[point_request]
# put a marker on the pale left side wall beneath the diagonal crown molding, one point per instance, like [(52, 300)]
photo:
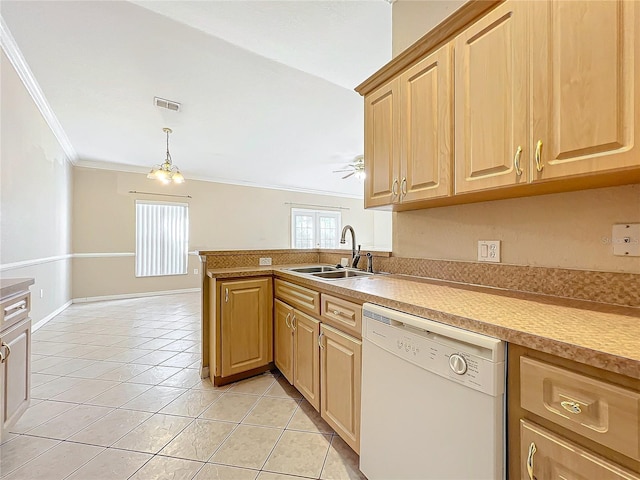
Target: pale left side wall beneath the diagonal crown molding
[(35, 199)]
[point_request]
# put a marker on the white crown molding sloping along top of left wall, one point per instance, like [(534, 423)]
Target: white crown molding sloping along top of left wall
[(10, 48)]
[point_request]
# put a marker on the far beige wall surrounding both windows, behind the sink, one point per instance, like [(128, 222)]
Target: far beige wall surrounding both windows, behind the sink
[(221, 217)]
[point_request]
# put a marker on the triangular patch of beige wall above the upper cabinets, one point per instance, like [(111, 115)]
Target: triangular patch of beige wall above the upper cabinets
[(411, 19)]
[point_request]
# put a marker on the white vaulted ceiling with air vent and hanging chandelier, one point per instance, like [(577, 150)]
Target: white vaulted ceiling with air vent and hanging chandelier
[(266, 87)]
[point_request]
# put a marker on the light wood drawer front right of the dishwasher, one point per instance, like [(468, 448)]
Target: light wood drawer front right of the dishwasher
[(602, 412)]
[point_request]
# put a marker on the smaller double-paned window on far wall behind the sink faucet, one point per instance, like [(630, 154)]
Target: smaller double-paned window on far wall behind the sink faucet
[(314, 228)]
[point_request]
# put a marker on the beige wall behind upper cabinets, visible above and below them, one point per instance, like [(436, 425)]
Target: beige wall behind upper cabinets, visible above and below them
[(569, 230)]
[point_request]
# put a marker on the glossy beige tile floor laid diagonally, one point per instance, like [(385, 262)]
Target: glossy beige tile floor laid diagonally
[(116, 395)]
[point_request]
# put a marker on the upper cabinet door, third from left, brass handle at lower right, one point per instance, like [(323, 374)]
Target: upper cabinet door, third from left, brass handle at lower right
[(491, 100)]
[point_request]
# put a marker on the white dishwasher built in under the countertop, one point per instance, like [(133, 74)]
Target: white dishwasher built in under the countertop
[(432, 400)]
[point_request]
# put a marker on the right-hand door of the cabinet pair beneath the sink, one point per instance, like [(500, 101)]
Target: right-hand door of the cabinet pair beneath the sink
[(307, 357)]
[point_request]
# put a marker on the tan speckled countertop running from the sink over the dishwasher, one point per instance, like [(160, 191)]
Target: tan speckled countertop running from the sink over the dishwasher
[(604, 336)]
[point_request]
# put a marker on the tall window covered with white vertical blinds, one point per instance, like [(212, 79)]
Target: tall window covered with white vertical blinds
[(162, 238)]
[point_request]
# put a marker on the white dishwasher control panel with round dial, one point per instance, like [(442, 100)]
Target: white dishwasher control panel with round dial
[(448, 357)]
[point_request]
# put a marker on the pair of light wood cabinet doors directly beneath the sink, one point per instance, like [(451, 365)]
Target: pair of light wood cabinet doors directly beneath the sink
[(297, 353)]
